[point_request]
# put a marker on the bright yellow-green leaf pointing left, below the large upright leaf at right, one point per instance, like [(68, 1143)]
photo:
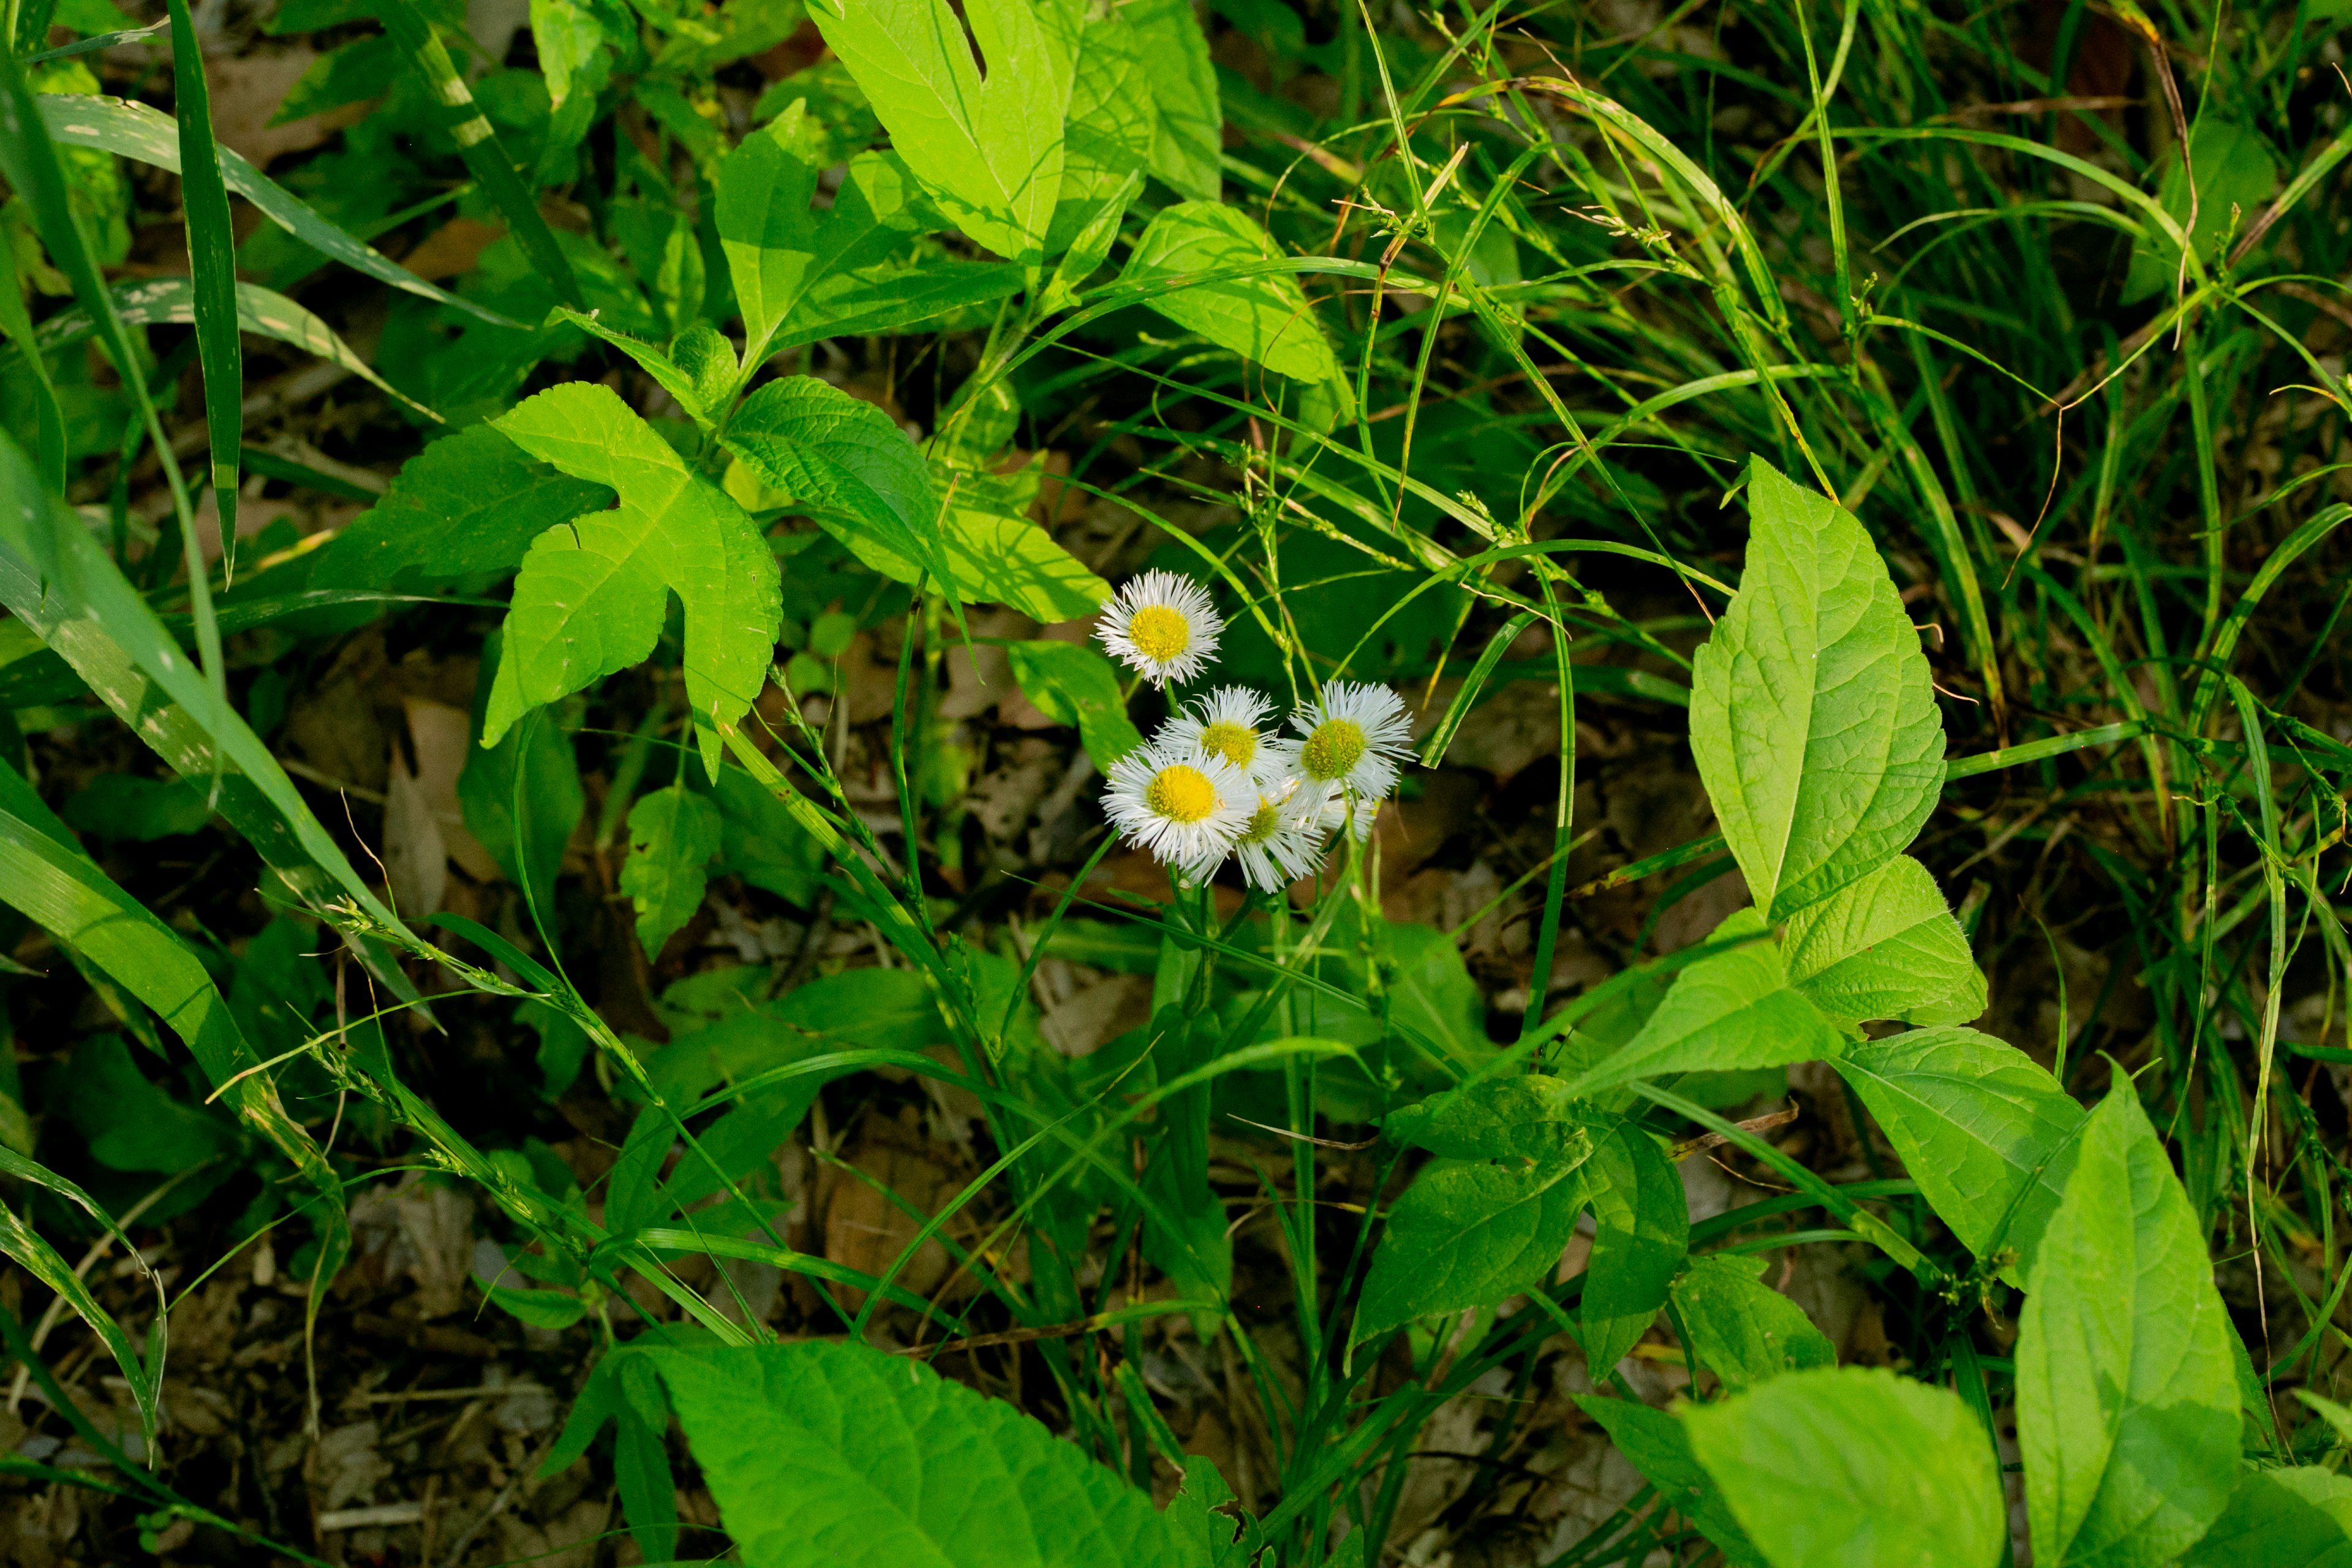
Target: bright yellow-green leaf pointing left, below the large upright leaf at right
[(1730, 1010)]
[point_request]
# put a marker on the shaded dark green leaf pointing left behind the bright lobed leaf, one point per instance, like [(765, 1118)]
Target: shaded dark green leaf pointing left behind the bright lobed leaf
[(465, 507)]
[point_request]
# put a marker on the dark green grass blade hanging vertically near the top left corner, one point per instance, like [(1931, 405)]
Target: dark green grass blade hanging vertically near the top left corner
[(213, 279)]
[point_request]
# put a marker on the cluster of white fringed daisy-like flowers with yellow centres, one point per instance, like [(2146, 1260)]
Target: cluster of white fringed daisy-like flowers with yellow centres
[(1220, 779)]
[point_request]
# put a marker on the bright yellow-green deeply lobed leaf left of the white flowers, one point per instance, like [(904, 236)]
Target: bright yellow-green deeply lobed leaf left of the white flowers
[(592, 594)]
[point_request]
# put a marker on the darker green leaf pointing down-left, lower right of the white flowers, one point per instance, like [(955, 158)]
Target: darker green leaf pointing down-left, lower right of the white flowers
[(1469, 1235)]
